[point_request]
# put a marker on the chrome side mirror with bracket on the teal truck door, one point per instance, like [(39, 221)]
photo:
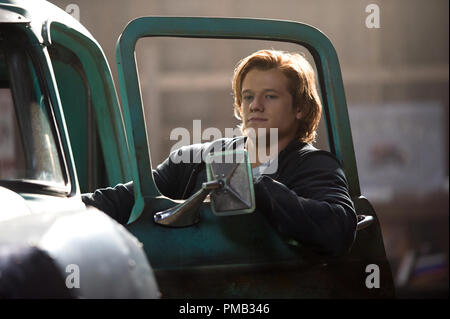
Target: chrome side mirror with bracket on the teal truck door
[(231, 183)]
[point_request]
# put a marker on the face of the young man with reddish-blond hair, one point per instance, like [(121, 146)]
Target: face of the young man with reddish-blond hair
[(267, 103)]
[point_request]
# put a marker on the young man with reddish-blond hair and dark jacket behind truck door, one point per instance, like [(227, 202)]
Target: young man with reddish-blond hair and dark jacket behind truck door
[(306, 198)]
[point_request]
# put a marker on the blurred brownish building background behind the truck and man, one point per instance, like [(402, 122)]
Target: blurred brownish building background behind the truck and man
[(396, 81)]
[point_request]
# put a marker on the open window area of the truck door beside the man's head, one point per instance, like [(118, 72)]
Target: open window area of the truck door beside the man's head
[(189, 100)]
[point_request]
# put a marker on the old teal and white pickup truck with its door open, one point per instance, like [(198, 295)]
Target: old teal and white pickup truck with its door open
[(64, 133)]
